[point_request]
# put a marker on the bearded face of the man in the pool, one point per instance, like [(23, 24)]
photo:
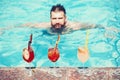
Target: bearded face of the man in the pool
[(58, 19)]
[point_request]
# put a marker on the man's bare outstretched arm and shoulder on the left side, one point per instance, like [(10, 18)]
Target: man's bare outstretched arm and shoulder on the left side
[(38, 25)]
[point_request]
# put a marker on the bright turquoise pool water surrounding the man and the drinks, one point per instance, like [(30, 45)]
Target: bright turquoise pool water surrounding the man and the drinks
[(104, 45)]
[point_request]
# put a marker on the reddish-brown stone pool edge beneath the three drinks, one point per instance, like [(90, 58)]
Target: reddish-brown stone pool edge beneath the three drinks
[(62, 73)]
